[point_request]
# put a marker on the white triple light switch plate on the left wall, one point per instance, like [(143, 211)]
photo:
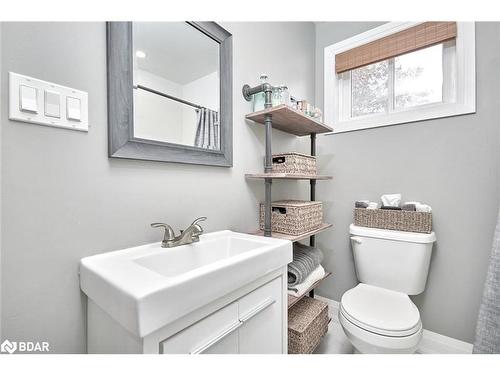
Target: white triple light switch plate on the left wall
[(48, 95)]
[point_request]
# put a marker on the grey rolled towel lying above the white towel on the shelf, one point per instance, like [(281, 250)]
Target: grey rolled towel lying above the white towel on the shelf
[(305, 260)]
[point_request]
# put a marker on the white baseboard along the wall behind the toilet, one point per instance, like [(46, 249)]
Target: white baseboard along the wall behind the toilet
[(431, 343)]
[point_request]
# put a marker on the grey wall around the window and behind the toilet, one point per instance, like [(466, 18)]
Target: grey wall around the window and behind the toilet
[(452, 164)]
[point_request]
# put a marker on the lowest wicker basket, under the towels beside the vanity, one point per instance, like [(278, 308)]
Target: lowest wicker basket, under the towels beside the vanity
[(307, 324)]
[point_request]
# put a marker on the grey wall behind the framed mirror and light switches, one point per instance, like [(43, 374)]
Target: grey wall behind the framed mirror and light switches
[(63, 199)]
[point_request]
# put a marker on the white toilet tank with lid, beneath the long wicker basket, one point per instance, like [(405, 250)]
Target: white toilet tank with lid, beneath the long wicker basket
[(392, 259)]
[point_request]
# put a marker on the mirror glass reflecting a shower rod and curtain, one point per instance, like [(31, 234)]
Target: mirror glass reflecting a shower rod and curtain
[(176, 84)]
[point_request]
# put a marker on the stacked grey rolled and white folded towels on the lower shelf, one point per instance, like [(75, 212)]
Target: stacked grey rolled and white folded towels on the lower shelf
[(305, 269)]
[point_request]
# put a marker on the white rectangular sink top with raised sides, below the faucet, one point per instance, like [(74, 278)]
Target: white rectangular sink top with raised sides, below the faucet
[(147, 287)]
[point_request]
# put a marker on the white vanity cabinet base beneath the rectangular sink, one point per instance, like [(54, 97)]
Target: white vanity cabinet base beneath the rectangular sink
[(250, 320)]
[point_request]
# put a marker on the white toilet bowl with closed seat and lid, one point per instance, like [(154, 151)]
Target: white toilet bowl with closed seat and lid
[(378, 320)]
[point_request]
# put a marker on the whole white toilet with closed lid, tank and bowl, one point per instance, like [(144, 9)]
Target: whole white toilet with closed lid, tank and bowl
[(378, 315)]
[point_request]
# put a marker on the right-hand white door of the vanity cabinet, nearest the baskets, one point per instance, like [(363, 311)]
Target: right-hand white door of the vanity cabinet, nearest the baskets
[(261, 314)]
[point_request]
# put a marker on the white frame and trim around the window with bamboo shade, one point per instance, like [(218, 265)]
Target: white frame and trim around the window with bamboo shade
[(459, 94)]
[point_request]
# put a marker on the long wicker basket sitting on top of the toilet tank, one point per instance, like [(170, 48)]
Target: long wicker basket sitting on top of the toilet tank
[(408, 221)]
